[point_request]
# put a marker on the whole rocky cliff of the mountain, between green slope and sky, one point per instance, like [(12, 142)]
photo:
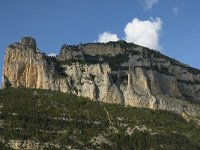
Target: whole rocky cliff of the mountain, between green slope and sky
[(115, 72)]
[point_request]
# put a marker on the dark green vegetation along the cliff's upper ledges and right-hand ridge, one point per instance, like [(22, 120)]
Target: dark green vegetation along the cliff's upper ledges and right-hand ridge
[(116, 62)]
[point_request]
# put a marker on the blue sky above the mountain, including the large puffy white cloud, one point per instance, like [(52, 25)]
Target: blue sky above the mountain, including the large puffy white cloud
[(56, 22)]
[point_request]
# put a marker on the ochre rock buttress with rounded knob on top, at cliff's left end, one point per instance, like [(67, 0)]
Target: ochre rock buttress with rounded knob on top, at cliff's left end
[(25, 66)]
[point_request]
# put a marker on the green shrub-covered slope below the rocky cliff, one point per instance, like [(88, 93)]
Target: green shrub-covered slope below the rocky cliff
[(48, 116)]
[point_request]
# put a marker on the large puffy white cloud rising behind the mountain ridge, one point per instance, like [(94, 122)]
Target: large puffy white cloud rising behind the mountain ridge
[(145, 33)]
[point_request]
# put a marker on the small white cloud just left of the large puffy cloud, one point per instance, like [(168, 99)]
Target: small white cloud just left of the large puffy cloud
[(107, 36)]
